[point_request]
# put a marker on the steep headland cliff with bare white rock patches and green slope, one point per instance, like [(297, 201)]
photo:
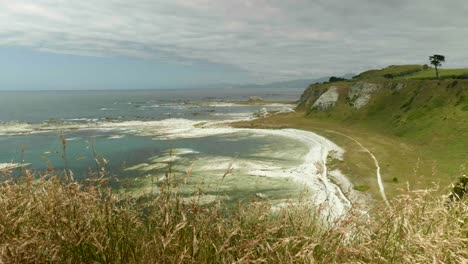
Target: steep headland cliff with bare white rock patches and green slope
[(417, 109)]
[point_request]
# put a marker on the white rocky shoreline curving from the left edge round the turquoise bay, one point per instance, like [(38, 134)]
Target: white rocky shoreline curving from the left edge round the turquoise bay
[(313, 172)]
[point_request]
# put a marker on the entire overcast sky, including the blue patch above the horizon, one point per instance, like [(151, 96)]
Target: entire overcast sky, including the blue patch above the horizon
[(97, 44)]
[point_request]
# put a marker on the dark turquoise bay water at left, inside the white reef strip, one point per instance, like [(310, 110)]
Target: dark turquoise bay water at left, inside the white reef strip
[(82, 147)]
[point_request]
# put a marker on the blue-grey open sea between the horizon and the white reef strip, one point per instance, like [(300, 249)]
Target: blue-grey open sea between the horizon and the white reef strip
[(38, 106)]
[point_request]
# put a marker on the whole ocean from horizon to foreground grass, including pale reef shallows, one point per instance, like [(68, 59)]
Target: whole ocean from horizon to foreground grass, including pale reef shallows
[(140, 134)]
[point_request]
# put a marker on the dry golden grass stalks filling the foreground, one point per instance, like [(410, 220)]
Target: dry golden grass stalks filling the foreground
[(48, 220)]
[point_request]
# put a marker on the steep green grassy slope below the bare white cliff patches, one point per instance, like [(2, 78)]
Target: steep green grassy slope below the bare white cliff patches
[(414, 112)]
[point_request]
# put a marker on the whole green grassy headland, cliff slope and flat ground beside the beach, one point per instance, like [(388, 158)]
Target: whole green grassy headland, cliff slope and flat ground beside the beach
[(418, 129)]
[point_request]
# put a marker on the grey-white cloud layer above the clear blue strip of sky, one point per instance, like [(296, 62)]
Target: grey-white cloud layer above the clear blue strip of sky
[(272, 40)]
